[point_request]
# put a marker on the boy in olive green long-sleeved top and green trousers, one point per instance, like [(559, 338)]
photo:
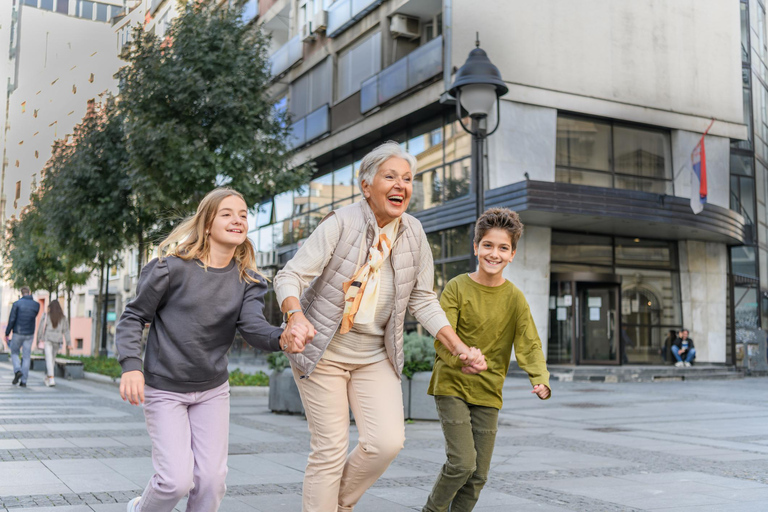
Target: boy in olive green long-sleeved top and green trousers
[(491, 313)]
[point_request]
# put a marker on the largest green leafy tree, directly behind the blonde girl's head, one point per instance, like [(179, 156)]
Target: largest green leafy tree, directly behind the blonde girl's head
[(198, 114)]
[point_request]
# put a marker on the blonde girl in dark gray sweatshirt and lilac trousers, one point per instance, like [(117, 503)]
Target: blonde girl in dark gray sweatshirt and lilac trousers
[(202, 287)]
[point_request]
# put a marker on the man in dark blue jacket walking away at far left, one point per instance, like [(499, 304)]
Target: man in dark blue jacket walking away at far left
[(21, 323)]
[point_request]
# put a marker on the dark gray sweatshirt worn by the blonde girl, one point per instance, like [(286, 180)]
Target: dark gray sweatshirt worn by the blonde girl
[(193, 314)]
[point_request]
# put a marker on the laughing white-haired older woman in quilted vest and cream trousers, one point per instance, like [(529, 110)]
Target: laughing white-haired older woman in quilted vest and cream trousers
[(352, 281)]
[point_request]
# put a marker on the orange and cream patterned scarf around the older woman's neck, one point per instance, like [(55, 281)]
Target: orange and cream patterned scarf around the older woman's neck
[(361, 293)]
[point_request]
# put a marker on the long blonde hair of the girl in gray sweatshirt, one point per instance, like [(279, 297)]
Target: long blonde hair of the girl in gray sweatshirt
[(188, 240)]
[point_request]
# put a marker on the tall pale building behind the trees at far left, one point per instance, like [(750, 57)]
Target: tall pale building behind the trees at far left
[(61, 58)]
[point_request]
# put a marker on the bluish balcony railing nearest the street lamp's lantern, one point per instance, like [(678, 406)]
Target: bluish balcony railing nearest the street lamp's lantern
[(418, 66)]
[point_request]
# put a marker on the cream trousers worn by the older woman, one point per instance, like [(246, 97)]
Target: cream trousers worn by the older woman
[(336, 480)]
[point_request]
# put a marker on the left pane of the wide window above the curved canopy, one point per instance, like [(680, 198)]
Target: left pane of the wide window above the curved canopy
[(583, 143)]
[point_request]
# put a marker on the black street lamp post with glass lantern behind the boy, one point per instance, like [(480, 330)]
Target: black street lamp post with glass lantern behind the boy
[(478, 83)]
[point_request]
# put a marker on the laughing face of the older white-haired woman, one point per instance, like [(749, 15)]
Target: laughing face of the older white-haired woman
[(390, 190)]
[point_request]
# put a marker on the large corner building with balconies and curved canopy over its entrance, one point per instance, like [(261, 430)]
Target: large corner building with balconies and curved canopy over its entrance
[(606, 103)]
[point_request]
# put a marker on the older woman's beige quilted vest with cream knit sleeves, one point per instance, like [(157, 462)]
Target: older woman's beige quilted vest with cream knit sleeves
[(317, 280)]
